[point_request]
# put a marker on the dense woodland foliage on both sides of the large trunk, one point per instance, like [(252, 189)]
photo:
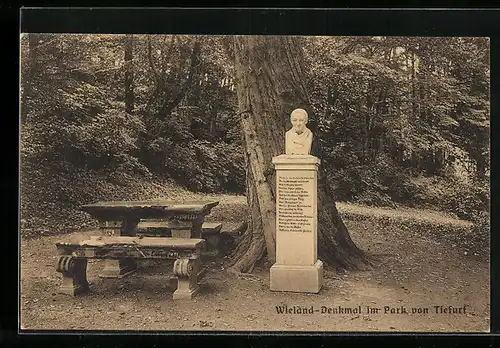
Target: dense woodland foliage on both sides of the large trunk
[(400, 120)]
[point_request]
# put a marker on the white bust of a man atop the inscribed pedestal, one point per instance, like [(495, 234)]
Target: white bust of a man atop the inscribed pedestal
[(298, 140)]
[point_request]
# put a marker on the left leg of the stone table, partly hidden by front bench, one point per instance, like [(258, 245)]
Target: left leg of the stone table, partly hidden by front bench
[(122, 267)]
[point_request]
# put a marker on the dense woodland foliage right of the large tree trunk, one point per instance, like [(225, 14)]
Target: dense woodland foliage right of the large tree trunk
[(389, 109)]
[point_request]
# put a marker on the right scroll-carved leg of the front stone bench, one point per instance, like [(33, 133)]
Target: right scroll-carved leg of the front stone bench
[(186, 271)]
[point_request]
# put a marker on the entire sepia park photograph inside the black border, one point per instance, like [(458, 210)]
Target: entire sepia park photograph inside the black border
[(253, 183)]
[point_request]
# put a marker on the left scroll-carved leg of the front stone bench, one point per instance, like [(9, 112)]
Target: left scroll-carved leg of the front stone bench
[(74, 272)]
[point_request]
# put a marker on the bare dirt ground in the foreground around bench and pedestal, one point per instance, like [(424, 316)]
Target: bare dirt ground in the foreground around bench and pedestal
[(415, 272)]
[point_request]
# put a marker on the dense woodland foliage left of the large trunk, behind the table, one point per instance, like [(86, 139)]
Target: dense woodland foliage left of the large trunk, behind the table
[(78, 140)]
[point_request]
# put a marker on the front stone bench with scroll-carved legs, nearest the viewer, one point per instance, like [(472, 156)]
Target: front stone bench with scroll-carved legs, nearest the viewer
[(75, 252)]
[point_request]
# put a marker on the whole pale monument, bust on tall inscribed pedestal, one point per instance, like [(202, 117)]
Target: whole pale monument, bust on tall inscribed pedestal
[(297, 267)]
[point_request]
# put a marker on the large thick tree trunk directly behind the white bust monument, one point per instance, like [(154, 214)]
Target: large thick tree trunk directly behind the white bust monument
[(270, 84)]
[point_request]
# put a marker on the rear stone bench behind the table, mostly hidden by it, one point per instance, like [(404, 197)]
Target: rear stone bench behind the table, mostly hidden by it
[(210, 232)]
